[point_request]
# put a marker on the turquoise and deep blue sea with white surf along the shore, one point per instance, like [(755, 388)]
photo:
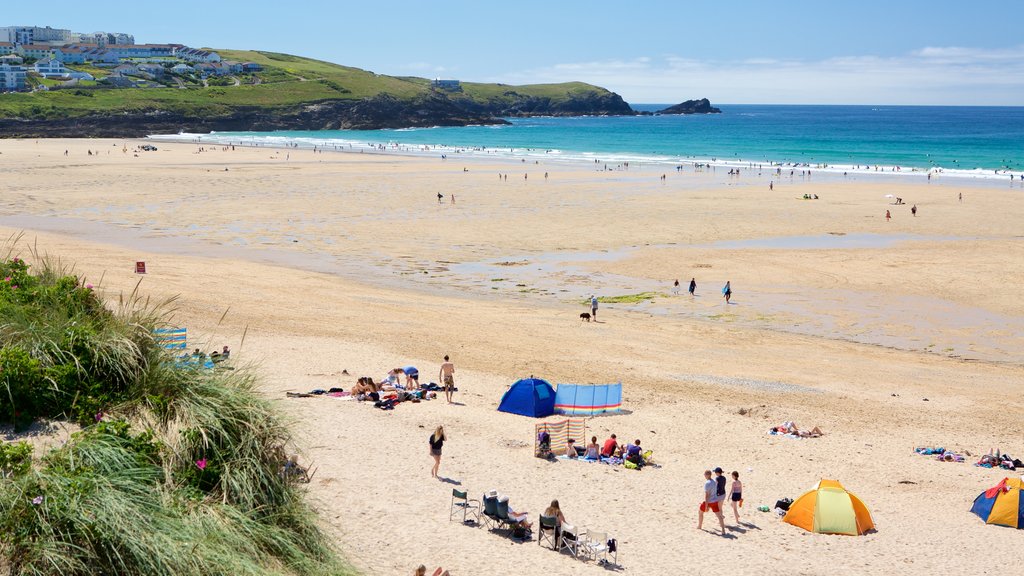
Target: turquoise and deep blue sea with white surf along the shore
[(974, 142)]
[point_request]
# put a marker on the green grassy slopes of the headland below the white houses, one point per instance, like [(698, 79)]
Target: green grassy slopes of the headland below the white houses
[(286, 81)]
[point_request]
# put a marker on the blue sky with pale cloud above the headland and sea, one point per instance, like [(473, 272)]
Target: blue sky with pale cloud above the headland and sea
[(892, 53)]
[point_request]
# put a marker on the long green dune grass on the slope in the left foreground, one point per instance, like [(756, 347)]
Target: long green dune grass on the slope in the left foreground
[(180, 473)]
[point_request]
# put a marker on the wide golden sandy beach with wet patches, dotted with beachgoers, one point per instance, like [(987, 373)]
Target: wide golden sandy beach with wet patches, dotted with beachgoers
[(886, 335)]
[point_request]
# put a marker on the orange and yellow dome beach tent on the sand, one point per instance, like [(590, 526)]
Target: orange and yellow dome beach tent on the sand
[(829, 509)]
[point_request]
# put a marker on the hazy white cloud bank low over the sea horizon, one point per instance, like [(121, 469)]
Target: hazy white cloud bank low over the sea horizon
[(930, 76)]
